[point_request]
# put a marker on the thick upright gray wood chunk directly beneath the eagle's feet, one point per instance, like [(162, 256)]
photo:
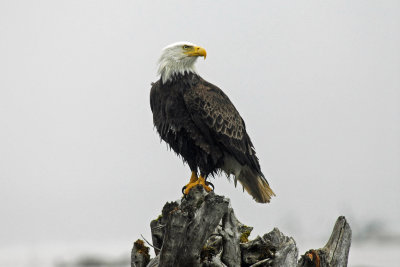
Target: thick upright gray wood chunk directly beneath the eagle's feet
[(189, 227)]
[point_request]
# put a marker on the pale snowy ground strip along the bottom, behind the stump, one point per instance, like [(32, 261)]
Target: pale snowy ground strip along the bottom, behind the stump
[(367, 254)]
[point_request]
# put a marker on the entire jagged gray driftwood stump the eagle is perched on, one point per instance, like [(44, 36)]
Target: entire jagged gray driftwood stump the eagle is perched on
[(202, 230)]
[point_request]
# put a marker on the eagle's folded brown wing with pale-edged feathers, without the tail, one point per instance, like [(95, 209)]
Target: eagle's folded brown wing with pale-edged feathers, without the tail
[(217, 118)]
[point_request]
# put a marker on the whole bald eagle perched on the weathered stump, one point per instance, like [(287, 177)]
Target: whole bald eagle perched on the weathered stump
[(199, 122)]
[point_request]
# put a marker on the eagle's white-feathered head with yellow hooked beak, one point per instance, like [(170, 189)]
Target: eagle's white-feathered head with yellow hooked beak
[(178, 58)]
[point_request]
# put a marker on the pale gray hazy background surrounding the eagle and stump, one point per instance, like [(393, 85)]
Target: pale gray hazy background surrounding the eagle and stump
[(82, 170)]
